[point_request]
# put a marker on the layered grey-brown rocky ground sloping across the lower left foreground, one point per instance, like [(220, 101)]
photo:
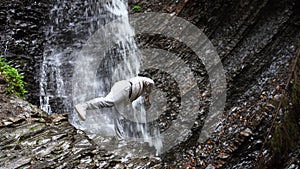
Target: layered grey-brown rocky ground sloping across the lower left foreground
[(32, 139)]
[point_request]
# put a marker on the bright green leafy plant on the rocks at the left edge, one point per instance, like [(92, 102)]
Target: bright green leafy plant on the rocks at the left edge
[(16, 85)]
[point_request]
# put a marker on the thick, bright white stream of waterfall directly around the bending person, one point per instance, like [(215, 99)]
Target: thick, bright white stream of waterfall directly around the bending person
[(112, 42)]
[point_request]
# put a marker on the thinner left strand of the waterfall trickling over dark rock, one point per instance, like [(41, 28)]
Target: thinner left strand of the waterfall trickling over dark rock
[(70, 24)]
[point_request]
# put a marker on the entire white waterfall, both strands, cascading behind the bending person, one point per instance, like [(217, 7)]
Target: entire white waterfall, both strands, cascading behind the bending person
[(99, 50)]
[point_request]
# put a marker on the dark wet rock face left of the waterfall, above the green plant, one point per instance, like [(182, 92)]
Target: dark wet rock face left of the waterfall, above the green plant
[(22, 38)]
